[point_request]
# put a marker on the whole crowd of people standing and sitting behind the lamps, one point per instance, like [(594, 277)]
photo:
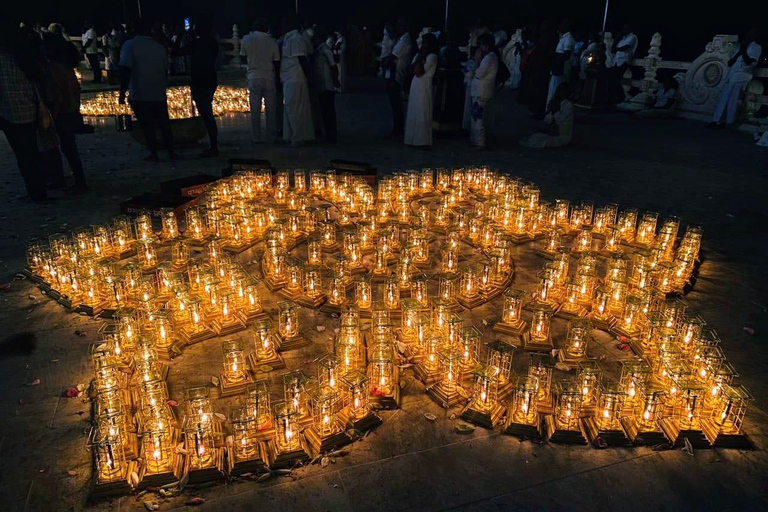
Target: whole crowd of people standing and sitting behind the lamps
[(294, 72)]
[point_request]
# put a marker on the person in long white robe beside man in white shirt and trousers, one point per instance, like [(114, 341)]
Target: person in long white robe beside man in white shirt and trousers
[(294, 70)]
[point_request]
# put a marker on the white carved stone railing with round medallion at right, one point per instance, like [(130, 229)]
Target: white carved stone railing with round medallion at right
[(700, 82)]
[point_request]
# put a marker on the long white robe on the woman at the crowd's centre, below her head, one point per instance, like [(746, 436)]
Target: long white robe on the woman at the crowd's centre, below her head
[(418, 121)]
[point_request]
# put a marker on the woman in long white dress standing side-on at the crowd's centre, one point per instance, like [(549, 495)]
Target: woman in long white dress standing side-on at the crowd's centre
[(418, 121)]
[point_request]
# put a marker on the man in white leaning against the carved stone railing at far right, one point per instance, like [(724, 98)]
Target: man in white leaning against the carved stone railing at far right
[(742, 66)]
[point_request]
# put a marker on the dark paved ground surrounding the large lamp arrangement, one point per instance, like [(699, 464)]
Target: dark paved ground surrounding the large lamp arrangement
[(716, 179)]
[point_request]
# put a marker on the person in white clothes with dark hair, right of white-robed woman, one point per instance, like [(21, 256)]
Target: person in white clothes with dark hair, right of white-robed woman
[(483, 85)]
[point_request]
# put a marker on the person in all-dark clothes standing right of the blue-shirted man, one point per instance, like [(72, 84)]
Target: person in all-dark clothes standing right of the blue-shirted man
[(203, 52)]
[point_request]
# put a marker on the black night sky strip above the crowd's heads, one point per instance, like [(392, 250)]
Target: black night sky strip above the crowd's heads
[(686, 26)]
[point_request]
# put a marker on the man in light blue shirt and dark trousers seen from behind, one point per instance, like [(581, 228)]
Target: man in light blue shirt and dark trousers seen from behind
[(144, 67)]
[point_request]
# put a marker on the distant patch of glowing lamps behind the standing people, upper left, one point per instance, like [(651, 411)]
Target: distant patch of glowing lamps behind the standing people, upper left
[(226, 100)]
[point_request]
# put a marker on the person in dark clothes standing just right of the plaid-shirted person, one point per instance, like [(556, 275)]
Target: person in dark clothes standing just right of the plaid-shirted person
[(65, 107)]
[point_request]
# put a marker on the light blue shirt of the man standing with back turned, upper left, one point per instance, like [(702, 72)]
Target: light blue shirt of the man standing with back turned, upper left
[(148, 61)]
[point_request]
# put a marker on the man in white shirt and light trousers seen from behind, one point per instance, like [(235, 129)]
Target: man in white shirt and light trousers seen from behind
[(263, 57)]
